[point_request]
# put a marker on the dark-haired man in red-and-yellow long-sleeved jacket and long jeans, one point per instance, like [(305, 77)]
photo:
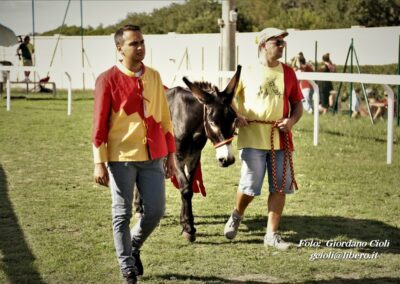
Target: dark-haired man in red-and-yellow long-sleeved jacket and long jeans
[(133, 144)]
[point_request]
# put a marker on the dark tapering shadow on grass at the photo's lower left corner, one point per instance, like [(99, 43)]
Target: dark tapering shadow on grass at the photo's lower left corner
[(17, 259)]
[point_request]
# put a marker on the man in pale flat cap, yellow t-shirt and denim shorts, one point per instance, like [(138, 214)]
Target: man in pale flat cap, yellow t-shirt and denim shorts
[(268, 99)]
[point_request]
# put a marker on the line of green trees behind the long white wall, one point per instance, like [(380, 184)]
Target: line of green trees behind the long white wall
[(200, 16)]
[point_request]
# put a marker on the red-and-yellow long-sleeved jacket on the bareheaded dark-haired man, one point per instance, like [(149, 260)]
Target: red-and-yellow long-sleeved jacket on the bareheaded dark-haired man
[(131, 117)]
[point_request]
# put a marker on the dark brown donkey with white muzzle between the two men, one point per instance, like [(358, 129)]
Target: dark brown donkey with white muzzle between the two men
[(199, 113)]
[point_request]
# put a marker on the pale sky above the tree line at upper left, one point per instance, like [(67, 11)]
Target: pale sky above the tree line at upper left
[(17, 14)]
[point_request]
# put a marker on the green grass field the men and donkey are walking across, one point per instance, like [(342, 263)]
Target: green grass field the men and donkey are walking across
[(55, 223)]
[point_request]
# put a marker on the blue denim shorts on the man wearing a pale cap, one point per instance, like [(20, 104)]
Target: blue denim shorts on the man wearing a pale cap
[(255, 163)]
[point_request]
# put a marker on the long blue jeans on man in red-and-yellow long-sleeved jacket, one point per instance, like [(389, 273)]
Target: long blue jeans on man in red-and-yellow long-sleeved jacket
[(150, 180)]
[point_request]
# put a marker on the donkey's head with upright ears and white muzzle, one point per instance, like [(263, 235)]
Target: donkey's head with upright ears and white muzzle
[(219, 116)]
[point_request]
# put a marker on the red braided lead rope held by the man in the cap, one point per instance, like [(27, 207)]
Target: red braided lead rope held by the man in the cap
[(288, 156)]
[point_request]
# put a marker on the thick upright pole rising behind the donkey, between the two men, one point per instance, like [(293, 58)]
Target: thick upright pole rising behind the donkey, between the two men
[(228, 35)]
